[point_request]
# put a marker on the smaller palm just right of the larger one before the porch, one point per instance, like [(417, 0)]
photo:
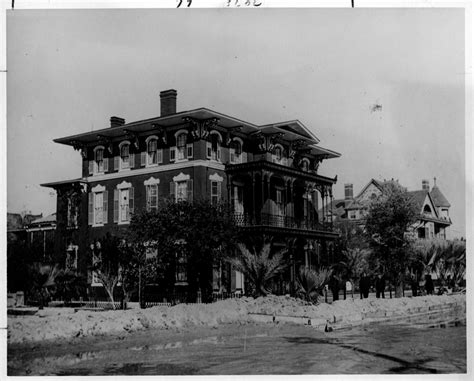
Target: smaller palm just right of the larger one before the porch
[(310, 283)]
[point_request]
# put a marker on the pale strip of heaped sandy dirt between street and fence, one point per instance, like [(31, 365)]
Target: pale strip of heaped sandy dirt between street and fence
[(64, 323)]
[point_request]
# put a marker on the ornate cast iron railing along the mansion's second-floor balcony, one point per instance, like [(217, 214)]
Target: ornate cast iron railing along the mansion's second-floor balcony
[(274, 220)]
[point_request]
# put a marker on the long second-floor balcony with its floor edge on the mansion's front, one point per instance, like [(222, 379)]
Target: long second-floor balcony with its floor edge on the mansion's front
[(273, 222)]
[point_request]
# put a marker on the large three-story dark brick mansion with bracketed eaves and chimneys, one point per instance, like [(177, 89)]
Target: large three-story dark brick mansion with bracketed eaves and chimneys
[(268, 173)]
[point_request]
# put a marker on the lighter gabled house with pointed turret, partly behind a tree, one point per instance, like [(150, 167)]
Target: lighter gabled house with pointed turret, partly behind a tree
[(433, 207)]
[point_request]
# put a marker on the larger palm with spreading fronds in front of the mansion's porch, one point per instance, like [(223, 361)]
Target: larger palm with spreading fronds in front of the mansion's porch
[(260, 267)]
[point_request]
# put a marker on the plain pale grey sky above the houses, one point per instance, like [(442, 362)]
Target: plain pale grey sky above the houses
[(69, 71)]
